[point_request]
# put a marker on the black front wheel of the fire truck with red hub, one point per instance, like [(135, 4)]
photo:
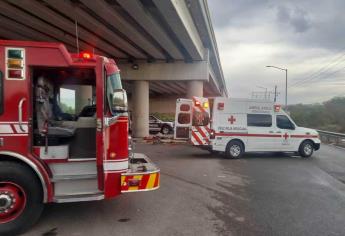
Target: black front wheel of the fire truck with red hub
[(20, 198)]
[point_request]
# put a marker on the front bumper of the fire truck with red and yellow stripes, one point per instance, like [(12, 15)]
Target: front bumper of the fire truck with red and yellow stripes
[(142, 175)]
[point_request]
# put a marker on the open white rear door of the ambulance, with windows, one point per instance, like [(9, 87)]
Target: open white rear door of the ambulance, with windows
[(183, 119)]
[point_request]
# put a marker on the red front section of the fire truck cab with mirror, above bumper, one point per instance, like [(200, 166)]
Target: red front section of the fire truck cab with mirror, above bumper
[(115, 134)]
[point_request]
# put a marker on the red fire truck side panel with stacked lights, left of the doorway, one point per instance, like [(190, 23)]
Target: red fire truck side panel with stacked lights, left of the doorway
[(15, 90)]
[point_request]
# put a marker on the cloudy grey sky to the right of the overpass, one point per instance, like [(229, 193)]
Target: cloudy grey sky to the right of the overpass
[(305, 36)]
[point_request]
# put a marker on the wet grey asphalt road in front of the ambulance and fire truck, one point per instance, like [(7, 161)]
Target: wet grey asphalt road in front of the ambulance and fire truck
[(204, 194)]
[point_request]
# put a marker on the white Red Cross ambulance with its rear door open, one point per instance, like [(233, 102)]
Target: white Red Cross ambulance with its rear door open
[(235, 126)]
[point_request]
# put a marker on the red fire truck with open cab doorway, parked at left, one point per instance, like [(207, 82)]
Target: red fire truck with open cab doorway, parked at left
[(51, 148)]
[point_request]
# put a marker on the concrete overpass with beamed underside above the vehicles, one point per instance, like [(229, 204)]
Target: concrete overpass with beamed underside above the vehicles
[(165, 48)]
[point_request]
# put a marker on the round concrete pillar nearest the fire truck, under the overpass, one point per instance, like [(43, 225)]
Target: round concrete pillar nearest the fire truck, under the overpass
[(140, 115)]
